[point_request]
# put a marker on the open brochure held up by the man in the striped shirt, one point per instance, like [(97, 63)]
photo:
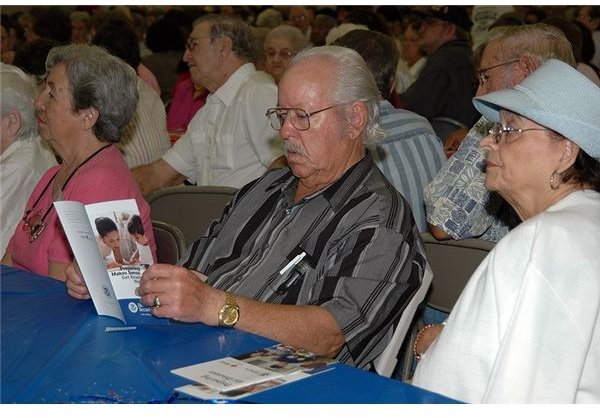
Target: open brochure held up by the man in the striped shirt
[(111, 259)]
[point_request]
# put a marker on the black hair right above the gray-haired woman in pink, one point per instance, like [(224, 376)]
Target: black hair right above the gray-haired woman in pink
[(118, 37)]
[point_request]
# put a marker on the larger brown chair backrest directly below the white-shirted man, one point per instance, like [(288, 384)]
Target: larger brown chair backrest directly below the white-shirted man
[(190, 208)]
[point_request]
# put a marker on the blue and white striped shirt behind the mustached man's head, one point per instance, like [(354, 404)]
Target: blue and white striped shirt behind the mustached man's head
[(409, 157)]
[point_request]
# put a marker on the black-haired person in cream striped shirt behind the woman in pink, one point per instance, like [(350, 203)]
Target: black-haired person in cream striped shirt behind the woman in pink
[(145, 139)]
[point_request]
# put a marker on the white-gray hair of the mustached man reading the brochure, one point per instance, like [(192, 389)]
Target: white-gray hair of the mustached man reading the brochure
[(353, 82)]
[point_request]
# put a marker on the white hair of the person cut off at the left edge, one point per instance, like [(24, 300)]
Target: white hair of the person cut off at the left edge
[(18, 93)]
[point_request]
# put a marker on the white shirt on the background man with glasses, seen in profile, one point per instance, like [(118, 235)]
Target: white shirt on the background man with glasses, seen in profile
[(229, 142)]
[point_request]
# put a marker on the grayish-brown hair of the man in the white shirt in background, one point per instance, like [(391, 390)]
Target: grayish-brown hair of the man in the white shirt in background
[(235, 29)]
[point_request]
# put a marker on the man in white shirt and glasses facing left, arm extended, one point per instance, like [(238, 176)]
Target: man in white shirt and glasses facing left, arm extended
[(228, 142)]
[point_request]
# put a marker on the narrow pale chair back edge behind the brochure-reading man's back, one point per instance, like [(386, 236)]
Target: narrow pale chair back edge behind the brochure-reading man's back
[(386, 362)]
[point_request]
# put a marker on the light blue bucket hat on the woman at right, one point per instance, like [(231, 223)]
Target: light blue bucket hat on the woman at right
[(556, 96)]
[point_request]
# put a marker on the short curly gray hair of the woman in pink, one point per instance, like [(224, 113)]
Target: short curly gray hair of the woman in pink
[(99, 80)]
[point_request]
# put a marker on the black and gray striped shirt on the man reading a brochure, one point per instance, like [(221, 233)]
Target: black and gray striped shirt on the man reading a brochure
[(364, 256)]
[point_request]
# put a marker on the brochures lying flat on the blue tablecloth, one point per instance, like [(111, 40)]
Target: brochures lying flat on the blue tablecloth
[(240, 376)]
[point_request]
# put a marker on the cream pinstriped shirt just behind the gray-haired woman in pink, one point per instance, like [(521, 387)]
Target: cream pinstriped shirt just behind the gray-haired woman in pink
[(145, 139)]
